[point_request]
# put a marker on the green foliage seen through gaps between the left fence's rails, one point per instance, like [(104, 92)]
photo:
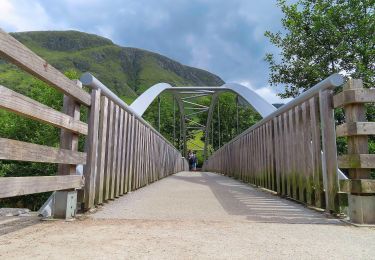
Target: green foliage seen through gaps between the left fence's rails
[(20, 128)]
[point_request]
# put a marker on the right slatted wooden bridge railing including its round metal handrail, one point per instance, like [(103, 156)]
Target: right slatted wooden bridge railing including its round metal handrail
[(283, 152)]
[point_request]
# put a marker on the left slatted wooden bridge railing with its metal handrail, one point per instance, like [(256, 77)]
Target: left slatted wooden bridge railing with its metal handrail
[(130, 152)]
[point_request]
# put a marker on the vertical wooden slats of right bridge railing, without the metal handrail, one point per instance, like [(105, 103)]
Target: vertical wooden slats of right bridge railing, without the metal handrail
[(283, 154)]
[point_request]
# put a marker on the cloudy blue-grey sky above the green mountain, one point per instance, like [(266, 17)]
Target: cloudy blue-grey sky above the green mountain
[(225, 37)]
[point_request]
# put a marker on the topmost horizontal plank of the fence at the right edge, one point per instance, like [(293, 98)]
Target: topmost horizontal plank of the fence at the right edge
[(352, 96)]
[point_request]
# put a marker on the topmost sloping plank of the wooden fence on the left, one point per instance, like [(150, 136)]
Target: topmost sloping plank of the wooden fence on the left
[(17, 53)]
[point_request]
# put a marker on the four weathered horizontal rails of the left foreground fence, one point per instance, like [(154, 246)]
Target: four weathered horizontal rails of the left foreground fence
[(67, 154)]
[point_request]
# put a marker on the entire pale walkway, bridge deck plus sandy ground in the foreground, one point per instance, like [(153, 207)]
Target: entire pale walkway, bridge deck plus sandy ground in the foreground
[(193, 215)]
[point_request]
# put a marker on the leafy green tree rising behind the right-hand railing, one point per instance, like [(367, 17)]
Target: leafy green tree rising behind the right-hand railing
[(323, 37)]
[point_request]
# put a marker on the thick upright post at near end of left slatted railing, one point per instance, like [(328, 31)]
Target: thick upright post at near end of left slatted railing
[(90, 169)]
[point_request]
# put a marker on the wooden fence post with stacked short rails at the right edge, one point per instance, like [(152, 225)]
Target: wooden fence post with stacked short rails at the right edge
[(357, 161)]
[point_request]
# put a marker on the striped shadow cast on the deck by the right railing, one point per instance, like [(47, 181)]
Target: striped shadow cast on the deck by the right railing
[(256, 205)]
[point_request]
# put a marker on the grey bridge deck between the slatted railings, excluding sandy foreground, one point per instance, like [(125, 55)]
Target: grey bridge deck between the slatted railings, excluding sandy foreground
[(209, 196)]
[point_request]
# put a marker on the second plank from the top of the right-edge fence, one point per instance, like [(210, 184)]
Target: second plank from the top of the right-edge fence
[(356, 128)]
